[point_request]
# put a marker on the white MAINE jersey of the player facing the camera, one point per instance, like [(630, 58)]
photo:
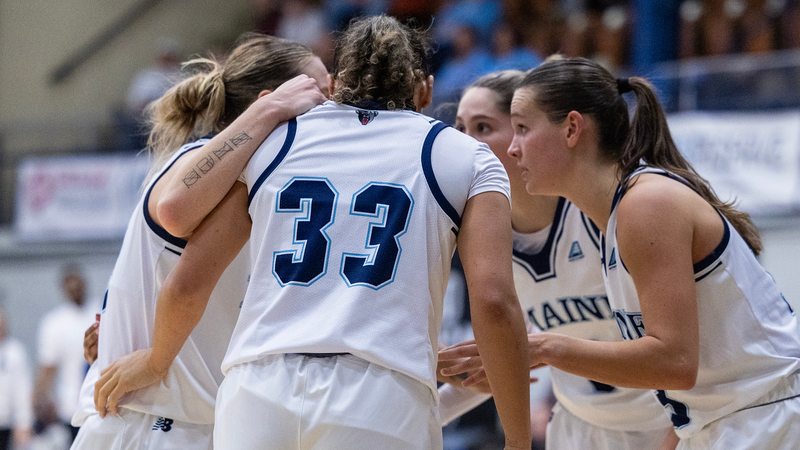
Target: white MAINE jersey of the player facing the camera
[(559, 283)]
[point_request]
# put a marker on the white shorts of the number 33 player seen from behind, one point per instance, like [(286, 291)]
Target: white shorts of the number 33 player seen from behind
[(341, 402)]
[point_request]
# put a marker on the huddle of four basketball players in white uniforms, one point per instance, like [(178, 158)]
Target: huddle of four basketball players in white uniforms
[(281, 281)]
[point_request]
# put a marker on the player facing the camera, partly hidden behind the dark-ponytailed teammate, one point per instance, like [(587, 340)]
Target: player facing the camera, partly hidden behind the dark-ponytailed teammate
[(560, 287)]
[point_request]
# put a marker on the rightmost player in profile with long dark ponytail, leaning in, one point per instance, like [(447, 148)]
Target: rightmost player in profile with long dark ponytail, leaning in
[(704, 324)]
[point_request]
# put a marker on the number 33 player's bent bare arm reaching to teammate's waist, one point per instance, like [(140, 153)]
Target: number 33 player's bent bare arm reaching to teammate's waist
[(182, 300)]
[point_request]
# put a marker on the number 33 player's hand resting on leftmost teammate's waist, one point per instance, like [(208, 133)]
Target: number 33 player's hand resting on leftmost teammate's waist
[(128, 373)]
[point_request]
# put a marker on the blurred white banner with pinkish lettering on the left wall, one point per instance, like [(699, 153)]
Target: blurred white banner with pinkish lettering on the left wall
[(77, 197)]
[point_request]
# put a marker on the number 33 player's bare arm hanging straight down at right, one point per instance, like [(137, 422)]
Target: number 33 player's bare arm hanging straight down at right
[(484, 243)]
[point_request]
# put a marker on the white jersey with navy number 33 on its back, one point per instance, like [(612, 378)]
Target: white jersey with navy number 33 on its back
[(355, 214)]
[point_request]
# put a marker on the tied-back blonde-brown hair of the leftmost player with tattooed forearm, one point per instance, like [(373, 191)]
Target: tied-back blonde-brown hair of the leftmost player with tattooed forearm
[(215, 94)]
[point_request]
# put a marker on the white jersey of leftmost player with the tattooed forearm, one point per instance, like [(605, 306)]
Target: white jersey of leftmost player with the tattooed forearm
[(147, 256)]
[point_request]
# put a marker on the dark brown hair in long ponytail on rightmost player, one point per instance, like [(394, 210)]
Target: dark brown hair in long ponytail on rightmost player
[(578, 84)]
